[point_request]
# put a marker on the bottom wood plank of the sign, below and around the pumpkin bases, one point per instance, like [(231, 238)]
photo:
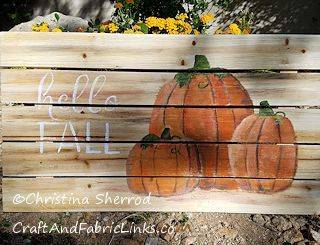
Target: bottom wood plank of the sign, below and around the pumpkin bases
[(303, 197)]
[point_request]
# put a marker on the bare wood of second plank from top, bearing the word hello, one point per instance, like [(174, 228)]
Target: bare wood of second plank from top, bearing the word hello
[(141, 88)]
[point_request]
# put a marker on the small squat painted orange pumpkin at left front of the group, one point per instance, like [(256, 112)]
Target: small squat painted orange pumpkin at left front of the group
[(153, 162)]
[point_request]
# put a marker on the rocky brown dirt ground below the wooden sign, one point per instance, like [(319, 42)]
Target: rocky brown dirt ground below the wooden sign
[(189, 228)]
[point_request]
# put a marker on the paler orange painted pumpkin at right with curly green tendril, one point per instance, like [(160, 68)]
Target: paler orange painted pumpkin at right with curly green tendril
[(273, 159)]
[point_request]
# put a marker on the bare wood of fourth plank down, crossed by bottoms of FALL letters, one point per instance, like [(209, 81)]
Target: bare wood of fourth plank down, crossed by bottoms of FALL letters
[(24, 159)]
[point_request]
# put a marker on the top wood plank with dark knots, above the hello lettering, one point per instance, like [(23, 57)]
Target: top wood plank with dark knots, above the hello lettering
[(96, 50)]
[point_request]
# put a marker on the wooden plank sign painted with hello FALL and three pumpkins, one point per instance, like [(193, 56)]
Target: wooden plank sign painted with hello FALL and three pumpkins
[(115, 122)]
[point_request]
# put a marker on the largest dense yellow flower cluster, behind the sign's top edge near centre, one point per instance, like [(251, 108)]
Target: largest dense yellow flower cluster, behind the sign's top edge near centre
[(176, 25)]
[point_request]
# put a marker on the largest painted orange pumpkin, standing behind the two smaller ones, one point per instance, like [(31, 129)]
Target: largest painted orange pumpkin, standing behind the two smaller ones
[(206, 122)]
